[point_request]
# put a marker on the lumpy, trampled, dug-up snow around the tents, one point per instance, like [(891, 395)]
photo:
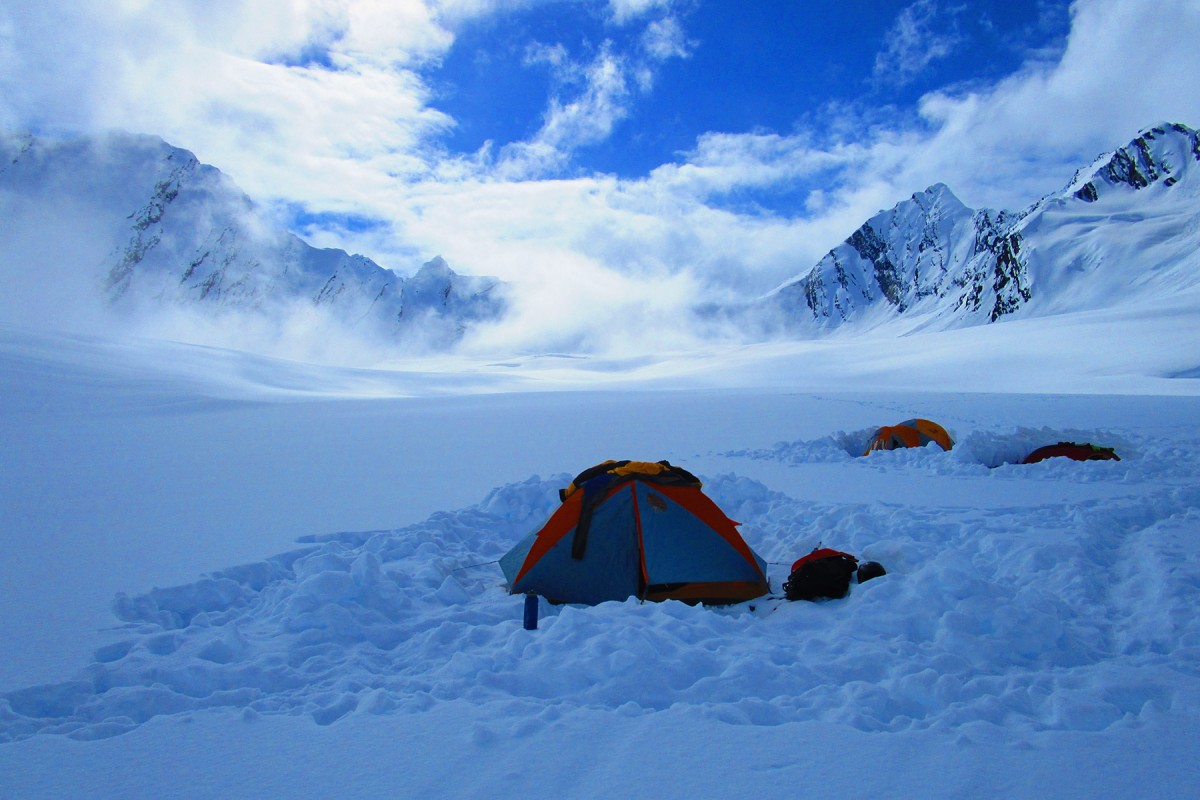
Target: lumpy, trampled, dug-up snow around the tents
[(1052, 617)]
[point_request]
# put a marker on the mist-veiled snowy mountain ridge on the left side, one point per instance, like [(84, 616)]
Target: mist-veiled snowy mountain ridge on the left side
[(160, 228)]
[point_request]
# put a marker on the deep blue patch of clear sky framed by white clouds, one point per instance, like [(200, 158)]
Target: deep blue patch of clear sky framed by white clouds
[(737, 67)]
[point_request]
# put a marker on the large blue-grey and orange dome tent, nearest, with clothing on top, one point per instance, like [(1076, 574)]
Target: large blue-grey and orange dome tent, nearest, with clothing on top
[(637, 530)]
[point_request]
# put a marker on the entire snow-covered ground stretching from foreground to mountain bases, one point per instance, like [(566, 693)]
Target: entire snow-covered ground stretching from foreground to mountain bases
[(226, 576)]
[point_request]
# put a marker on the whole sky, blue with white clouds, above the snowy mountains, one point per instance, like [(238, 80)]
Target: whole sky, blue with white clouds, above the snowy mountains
[(631, 155)]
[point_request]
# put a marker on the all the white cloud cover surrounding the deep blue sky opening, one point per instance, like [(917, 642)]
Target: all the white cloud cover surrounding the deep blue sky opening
[(326, 106)]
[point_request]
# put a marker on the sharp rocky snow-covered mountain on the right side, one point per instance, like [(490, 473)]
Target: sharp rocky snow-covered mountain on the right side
[(1125, 228)]
